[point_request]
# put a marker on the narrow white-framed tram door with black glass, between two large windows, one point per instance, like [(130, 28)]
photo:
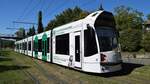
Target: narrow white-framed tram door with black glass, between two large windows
[(78, 50)]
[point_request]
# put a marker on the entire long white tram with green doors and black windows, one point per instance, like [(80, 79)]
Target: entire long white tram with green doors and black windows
[(90, 44)]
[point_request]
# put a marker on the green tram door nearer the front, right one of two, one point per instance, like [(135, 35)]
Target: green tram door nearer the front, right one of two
[(44, 47)]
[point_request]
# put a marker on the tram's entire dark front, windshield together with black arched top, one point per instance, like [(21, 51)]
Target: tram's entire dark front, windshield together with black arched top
[(105, 27)]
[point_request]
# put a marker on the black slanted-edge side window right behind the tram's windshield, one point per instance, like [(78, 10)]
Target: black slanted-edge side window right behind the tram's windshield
[(90, 47)]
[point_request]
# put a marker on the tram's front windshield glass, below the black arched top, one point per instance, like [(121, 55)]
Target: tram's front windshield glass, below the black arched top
[(107, 38)]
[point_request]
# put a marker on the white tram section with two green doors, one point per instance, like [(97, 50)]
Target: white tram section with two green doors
[(42, 46)]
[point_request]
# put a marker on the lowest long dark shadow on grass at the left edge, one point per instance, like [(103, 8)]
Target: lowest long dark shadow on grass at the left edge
[(4, 68)]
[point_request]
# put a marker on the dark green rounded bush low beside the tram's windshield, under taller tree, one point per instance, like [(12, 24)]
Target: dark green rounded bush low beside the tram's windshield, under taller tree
[(130, 40)]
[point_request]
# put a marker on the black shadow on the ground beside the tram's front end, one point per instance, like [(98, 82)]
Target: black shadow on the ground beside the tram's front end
[(127, 68)]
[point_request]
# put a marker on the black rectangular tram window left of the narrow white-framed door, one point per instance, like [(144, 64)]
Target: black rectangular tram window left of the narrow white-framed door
[(62, 44)]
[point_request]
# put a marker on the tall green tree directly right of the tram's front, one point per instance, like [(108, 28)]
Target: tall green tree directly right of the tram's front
[(129, 23)]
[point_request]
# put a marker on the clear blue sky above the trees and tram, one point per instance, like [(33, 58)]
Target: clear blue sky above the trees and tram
[(26, 10)]
